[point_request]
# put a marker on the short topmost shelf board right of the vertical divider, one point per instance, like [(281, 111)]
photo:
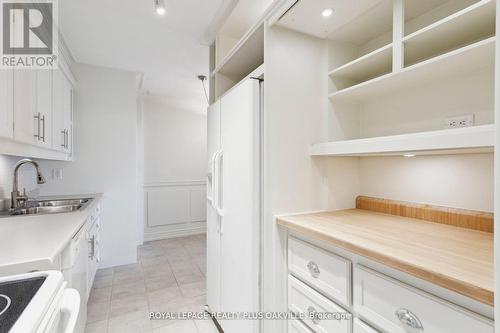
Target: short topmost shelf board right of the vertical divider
[(468, 25)]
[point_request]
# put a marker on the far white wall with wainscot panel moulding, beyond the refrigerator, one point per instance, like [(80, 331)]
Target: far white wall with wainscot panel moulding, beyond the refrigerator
[(174, 167)]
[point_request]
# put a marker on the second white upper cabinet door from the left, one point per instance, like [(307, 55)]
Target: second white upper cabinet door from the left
[(26, 126)]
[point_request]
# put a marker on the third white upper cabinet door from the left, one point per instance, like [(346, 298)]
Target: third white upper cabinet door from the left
[(44, 107)]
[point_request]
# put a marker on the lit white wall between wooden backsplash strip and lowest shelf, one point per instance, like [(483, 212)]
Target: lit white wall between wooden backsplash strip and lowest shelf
[(462, 181)]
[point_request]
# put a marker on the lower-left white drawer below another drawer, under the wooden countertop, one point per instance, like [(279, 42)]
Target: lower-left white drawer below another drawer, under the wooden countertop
[(303, 299)]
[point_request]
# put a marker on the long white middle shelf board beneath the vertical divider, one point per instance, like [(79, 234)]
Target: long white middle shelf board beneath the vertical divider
[(470, 58)]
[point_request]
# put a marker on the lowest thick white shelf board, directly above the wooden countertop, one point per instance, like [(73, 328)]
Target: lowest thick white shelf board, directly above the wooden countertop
[(477, 139)]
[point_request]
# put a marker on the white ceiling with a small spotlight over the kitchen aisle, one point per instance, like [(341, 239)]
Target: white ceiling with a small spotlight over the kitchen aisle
[(128, 34)]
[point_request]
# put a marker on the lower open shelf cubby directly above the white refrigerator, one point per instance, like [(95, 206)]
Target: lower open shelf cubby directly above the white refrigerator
[(245, 56)]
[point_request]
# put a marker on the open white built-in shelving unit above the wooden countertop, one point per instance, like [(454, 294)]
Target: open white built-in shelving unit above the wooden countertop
[(382, 51)]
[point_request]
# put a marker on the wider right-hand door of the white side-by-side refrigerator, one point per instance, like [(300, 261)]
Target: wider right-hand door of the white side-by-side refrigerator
[(240, 199)]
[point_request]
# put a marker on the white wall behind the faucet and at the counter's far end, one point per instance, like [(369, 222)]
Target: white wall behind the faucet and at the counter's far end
[(105, 134)]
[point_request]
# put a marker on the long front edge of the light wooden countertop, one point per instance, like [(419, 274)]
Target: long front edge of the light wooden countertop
[(463, 288)]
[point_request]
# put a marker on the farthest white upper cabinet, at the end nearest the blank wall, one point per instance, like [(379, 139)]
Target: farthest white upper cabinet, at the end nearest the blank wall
[(62, 112)]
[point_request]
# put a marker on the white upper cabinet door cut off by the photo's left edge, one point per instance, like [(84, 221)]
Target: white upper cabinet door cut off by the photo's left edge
[(7, 103)]
